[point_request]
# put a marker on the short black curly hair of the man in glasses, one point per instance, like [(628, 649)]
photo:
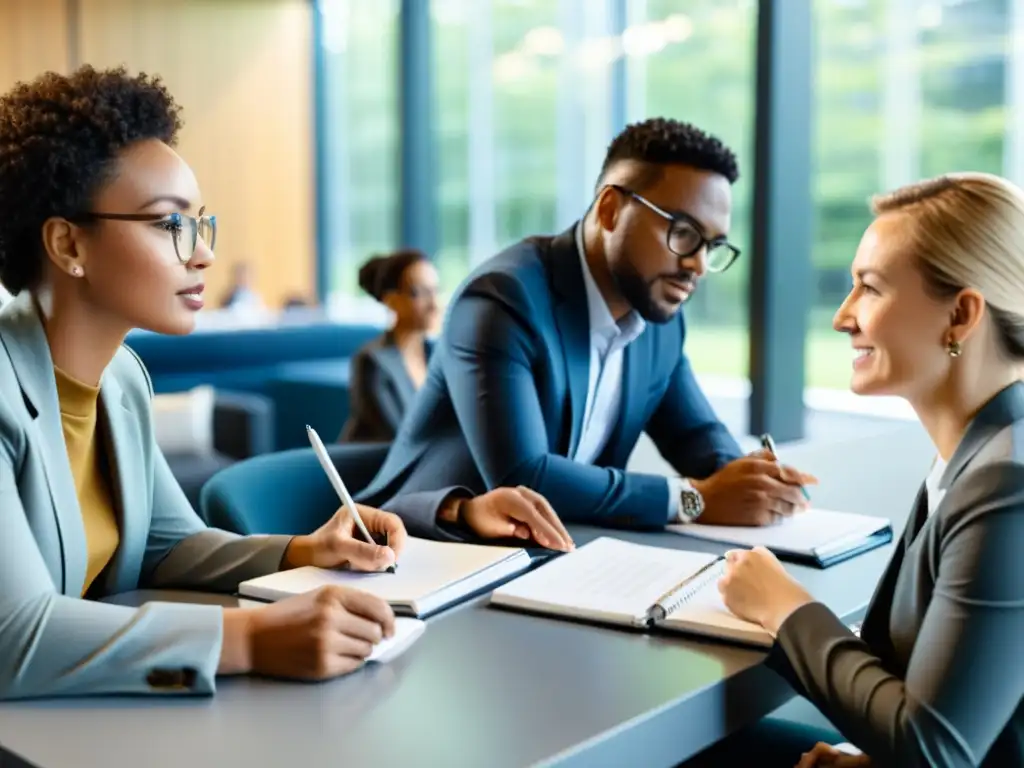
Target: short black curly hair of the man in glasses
[(661, 142)]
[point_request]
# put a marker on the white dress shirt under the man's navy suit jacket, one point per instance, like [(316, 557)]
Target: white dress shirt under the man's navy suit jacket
[(609, 340)]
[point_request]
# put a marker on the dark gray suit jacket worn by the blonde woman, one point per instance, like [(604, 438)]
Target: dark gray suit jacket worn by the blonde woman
[(937, 676)]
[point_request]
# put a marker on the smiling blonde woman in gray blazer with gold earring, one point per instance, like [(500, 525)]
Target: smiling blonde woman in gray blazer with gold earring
[(935, 678)]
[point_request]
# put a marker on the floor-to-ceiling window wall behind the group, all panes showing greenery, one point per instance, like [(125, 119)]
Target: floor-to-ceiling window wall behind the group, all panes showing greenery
[(530, 93)]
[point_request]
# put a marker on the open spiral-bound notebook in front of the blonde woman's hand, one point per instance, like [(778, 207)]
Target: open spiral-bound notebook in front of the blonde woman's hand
[(616, 582)]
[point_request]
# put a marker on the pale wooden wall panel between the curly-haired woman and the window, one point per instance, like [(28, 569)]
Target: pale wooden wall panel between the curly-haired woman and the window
[(242, 71)]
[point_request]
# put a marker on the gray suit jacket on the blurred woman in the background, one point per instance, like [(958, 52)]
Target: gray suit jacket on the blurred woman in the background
[(381, 392)]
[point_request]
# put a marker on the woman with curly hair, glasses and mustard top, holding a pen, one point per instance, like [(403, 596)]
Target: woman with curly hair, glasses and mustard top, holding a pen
[(104, 230)]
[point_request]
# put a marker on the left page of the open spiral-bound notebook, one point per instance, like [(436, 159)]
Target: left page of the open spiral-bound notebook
[(607, 578)]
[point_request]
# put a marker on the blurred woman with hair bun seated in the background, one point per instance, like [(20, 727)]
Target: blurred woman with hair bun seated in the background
[(389, 371)]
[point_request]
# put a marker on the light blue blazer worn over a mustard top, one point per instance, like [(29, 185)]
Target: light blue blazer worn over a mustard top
[(52, 642)]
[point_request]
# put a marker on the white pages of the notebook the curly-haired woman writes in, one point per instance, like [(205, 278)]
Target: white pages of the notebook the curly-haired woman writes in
[(424, 568)]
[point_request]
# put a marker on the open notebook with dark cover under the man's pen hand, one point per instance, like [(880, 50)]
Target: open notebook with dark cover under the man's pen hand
[(818, 537)]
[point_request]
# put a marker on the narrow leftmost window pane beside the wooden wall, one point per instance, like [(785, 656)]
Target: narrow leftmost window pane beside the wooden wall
[(359, 141)]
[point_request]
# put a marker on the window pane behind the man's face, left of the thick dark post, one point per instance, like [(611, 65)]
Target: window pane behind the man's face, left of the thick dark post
[(695, 61)]
